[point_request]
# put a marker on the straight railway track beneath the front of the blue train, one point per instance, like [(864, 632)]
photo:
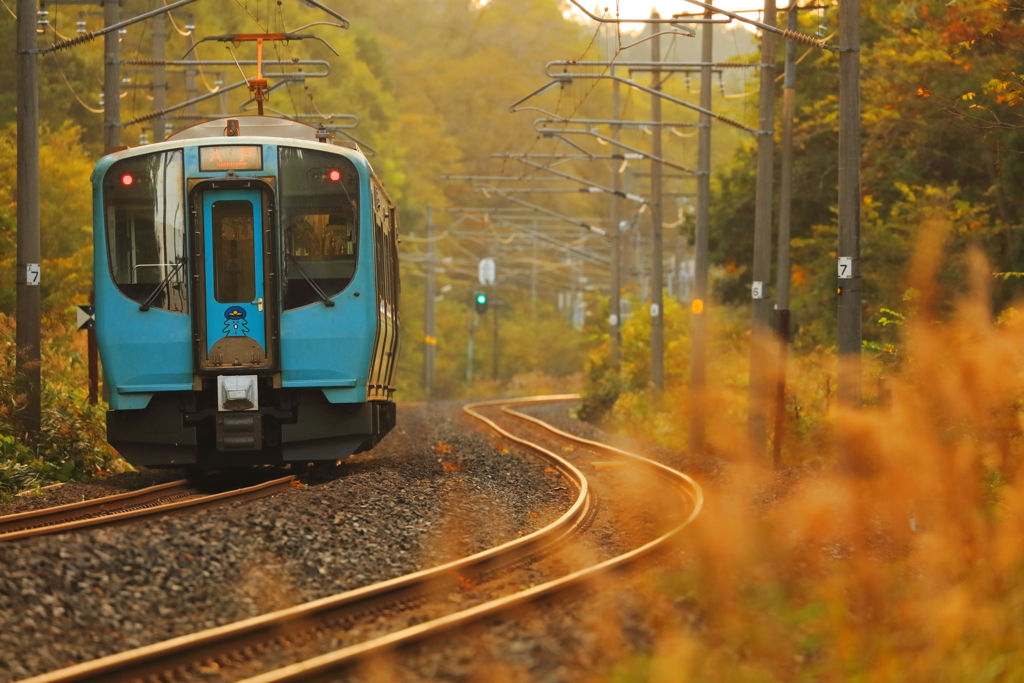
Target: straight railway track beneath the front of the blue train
[(151, 502)]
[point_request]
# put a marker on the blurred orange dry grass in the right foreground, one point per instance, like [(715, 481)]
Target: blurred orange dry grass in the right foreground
[(902, 557)]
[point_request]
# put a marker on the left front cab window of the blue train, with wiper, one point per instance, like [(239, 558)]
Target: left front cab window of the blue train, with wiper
[(145, 208)]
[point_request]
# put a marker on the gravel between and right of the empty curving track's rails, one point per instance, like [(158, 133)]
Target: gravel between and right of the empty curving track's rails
[(565, 641)]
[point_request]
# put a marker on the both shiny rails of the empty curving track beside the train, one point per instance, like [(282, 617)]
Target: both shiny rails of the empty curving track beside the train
[(191, 656)]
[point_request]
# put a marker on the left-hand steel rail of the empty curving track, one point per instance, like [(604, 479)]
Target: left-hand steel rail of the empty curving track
[(193, 650)]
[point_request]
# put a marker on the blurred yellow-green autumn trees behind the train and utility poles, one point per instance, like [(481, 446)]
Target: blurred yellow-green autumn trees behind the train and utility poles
[(432, 86)]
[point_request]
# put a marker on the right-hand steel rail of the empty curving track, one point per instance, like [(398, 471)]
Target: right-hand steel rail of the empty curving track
[(326, 667)]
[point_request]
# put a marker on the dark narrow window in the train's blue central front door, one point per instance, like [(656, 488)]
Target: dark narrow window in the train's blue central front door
[(234, 250)]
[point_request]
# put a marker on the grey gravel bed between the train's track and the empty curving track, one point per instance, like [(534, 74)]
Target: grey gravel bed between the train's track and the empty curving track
[(430, 493)]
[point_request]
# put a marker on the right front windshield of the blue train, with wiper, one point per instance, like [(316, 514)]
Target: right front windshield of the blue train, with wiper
[(320, 212)]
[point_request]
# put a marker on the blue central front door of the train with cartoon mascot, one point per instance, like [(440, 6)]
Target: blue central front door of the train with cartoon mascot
[(232, 320)]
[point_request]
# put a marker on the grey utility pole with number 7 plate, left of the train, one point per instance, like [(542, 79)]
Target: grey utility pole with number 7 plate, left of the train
[(28, 277)]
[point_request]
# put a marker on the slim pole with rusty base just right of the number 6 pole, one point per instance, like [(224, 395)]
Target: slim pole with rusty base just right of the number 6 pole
[(785, 220)]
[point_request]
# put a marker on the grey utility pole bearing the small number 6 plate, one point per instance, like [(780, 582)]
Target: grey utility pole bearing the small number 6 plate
[(761, 330)]
